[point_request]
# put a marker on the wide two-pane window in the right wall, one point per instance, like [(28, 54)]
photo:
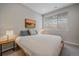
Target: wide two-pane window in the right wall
[(56, 22)]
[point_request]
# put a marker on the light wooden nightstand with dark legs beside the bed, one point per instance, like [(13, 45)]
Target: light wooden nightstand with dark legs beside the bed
[(6, 41)]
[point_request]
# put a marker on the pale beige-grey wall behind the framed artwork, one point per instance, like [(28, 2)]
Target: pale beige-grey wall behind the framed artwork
[(12, 17)]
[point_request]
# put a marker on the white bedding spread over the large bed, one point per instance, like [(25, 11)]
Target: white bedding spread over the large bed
[(40, 45)]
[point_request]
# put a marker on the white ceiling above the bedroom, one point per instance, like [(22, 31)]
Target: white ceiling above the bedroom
[(44, 8)]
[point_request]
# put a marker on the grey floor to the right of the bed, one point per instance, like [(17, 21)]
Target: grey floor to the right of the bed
[(70, 49)]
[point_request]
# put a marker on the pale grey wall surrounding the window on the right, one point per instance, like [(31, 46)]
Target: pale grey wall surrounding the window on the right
[(72, 34)]
